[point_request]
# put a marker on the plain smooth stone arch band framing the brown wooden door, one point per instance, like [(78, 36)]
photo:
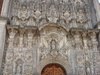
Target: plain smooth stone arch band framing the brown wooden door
[(62, 62)]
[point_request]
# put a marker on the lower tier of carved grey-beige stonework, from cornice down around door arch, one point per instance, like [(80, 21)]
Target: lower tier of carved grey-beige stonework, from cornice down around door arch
[(49, 47)]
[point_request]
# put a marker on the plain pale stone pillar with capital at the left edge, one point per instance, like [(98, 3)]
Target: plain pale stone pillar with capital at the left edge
[(3, 22)]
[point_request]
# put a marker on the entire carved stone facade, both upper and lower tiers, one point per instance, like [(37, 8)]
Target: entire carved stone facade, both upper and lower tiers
[(22, 44)]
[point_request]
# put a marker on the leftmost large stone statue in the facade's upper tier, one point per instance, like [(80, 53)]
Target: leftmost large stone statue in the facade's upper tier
[(23, 14)]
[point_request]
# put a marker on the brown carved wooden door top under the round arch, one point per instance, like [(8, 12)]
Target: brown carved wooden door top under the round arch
[(53, 69)]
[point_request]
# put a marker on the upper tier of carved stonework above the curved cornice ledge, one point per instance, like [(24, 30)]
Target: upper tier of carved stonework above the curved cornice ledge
[(42, 13)]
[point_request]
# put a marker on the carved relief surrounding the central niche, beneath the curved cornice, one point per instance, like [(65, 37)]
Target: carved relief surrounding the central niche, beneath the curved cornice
[(52, 50)]
